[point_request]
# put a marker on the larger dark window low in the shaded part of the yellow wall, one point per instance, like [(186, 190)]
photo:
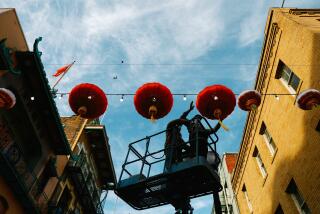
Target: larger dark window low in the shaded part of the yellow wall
[(296, 196)]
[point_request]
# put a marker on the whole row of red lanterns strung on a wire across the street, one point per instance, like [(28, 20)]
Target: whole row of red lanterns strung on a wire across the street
[(154, 100)]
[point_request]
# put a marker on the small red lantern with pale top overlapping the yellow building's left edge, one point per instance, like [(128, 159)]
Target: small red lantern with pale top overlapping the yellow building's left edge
[(249, 100)]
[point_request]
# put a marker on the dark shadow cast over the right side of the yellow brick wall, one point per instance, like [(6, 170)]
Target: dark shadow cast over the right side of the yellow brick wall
[(304, 165)]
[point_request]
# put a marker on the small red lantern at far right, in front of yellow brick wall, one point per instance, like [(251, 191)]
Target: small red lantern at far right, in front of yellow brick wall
[(308, 99)]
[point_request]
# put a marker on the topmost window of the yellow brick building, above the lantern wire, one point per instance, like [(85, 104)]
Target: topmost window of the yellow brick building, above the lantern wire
[(288, 77)]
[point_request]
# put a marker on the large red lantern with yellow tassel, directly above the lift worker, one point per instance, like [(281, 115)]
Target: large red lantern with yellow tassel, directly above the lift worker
[(216, 102)]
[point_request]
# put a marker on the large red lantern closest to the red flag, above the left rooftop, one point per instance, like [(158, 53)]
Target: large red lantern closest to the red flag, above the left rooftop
[(88, 100)]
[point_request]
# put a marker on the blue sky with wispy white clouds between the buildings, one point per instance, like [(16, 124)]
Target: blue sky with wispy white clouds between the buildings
[(186, 45)]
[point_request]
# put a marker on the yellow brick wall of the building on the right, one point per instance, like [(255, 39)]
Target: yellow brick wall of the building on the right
[(292, 36)]
